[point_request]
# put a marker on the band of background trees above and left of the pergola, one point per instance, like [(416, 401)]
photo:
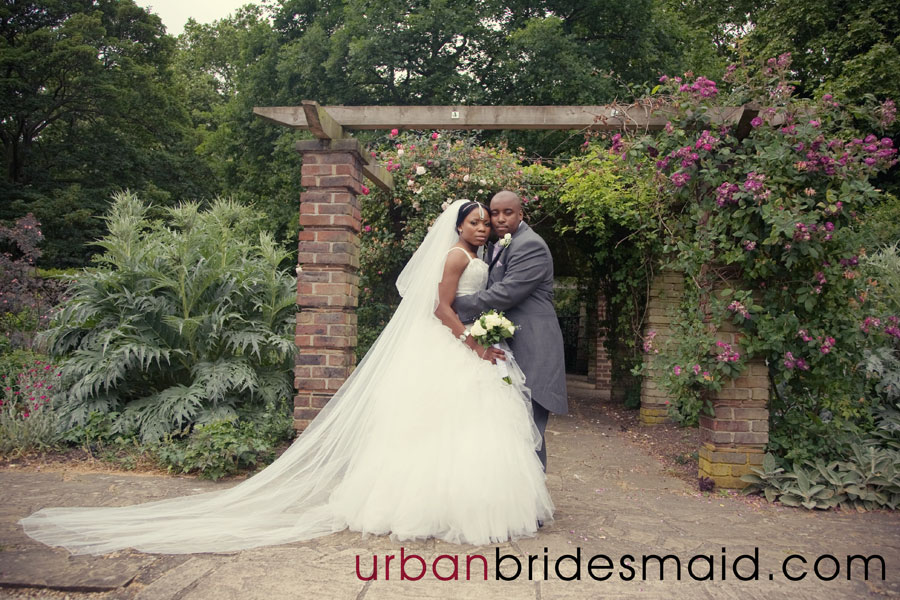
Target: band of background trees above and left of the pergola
[(97, 97)]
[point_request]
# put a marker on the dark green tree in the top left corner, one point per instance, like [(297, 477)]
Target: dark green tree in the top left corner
[(88, 106)]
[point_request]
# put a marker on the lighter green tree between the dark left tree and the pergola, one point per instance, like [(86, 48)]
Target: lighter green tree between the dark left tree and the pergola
[(227, 67)]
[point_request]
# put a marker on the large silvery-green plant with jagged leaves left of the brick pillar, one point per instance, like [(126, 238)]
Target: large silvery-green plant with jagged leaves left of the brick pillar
[(183, 321)]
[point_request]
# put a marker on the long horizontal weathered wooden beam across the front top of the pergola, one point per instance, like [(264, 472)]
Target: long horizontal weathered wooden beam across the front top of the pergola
[(596, 118)]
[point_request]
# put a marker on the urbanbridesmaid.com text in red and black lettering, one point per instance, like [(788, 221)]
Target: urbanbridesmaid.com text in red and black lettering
[(600, 567)]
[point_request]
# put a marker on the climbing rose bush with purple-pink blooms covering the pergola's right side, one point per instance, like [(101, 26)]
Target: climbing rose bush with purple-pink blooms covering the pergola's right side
[(771, 205)]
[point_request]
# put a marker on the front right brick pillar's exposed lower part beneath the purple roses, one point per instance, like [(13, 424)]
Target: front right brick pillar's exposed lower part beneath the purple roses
[(734, 439)]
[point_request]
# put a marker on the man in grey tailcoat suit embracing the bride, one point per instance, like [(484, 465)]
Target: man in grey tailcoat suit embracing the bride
[(520, 283)]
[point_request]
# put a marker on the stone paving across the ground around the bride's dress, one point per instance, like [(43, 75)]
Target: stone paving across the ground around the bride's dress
[(612, 499)]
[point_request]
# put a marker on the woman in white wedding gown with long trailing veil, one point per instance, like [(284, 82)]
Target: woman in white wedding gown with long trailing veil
[(424, 439)]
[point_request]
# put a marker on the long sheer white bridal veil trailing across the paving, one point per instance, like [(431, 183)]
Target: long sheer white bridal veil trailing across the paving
[(288, 500)]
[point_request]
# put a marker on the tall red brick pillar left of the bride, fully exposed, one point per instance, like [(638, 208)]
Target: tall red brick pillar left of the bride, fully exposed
[(327, 282)]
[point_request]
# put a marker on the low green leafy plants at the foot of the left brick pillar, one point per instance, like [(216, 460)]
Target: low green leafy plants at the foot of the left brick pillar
[(222, 448)]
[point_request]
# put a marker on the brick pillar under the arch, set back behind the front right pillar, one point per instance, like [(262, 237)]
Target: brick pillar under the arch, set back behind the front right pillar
[(666, 290)]
